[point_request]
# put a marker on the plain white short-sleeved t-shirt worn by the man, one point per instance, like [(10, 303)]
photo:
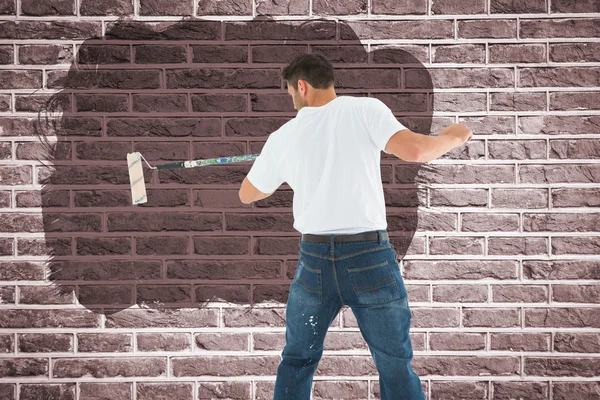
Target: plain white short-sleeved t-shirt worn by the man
[(330, 157)]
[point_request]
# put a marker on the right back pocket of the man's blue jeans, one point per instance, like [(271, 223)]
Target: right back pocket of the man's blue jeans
[(374, 283)]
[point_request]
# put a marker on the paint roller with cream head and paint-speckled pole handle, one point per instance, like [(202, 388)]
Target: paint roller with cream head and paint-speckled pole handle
[(136, 172)]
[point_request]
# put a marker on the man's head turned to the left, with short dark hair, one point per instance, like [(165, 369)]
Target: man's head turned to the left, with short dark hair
[(307, 77)]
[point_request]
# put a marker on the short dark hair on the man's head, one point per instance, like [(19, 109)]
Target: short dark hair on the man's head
[(314, 68)]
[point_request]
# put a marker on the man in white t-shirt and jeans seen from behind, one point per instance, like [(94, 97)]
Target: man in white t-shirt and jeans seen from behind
[(329, 154)]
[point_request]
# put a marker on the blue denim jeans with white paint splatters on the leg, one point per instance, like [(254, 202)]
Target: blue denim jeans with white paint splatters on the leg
[(365, 276)]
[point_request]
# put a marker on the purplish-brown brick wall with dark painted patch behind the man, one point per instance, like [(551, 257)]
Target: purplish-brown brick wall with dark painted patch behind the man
[(184, 297)]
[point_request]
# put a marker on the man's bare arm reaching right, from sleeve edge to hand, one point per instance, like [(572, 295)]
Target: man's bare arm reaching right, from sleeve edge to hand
[(415, 147)]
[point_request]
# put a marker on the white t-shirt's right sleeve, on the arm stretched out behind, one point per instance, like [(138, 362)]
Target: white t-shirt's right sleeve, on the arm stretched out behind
[(381, 123)]
